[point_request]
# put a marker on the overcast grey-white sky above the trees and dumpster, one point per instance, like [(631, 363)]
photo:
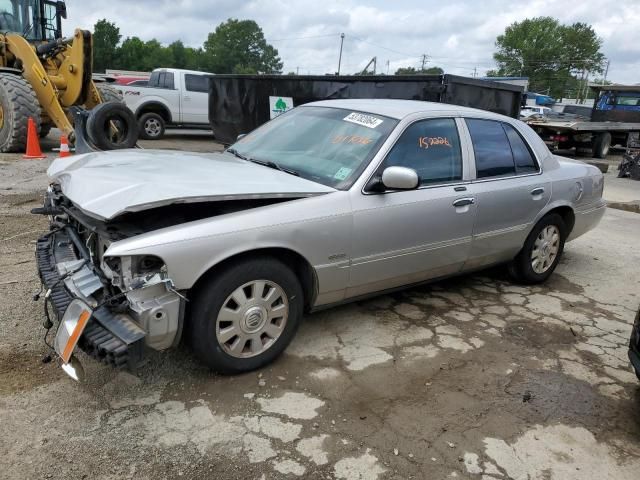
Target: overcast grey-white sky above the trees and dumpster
[(457, 35)]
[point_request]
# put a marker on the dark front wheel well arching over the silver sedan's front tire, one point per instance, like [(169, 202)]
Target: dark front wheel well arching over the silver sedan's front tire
[(300, 266)]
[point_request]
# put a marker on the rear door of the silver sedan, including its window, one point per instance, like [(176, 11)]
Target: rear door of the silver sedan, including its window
[(509, 189)]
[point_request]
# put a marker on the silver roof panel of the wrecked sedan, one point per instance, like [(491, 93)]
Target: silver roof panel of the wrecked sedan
[(400, 109)]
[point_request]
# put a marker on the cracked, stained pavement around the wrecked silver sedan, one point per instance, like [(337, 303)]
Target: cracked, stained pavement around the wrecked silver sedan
[(470, 378)]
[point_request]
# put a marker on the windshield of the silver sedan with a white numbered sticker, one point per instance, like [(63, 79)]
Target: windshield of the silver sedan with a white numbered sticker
[(330, 146)]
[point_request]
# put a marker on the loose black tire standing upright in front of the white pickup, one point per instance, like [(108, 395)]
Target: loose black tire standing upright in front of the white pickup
[(100, 122)]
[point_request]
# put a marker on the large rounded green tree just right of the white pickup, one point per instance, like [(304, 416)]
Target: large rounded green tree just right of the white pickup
[(239, 46)]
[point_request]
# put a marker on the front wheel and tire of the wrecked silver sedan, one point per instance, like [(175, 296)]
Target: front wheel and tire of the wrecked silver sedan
[(247, 330)]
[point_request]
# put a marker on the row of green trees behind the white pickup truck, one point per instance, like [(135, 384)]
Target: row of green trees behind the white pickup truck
[(236, 46)]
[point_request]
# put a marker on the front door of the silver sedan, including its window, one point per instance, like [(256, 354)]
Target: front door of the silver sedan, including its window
[(404, 237)]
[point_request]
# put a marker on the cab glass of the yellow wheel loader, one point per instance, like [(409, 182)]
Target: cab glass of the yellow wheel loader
[(24, 17)]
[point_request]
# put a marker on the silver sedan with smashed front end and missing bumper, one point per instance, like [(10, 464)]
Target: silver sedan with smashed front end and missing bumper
[(328, 203)]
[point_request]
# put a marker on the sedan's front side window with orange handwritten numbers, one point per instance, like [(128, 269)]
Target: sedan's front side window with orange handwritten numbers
[(431, 148)]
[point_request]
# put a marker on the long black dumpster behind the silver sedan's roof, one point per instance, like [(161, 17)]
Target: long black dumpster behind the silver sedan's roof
[(240, 103)]
